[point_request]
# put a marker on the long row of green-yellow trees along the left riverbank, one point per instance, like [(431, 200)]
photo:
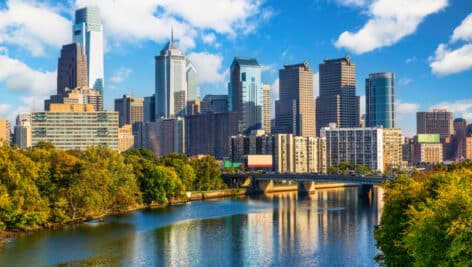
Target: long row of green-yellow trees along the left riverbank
[(45, 186)]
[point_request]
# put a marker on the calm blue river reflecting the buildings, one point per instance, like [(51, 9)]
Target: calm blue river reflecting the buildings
[(332, 227)]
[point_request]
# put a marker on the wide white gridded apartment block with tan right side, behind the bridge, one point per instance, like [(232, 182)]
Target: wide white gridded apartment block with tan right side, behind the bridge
[(377, 148)]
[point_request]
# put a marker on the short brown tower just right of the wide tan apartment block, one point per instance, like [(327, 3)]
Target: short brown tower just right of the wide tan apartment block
[(130, 109)]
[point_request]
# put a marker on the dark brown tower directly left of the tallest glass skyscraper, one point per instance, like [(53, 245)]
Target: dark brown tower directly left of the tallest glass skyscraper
[(71, 68)]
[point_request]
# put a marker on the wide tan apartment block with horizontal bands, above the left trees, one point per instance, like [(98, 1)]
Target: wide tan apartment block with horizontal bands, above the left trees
[(75, 126)]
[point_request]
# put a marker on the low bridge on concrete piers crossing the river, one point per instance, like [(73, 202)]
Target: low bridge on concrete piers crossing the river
[(264, 182)]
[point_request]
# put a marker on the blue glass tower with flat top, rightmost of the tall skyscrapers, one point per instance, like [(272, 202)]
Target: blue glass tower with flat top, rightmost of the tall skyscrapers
[(380, 97)]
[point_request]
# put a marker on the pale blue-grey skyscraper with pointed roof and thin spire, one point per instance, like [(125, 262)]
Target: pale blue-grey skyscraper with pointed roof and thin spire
[(171, 82)]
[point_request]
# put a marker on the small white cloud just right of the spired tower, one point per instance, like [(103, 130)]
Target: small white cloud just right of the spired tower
[(208, 66)]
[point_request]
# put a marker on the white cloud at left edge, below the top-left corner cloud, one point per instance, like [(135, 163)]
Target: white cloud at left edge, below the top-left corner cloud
[(21, 78)]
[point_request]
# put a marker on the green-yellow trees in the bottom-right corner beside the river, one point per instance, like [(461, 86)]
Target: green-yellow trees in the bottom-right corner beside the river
[(427, 219)]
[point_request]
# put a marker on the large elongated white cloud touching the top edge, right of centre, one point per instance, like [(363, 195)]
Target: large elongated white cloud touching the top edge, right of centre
[(390, 22)]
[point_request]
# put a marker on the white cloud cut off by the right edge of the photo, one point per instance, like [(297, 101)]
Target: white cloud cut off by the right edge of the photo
[(448, 60)]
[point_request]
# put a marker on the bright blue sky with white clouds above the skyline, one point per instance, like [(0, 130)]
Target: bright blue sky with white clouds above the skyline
[(426, 43)]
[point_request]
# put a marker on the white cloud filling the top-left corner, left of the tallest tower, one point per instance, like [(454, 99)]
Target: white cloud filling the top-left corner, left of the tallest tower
[(33, 26)]
